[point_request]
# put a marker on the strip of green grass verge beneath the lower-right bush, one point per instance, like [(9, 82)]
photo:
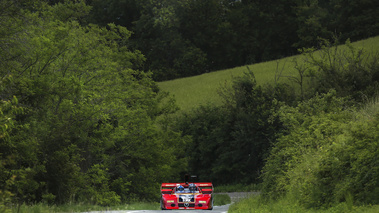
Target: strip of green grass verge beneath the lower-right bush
[(256, 205)]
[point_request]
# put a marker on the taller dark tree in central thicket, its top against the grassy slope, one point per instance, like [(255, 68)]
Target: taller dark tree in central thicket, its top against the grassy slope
[(252, 127)]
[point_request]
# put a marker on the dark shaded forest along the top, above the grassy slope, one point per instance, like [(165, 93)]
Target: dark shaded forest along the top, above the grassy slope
[(188, 37)]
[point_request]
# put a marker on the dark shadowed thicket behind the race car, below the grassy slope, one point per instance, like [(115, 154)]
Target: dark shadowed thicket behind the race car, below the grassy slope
[(230, 142)]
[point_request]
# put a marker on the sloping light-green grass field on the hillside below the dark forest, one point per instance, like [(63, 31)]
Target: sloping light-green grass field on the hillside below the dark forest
[(194, 91)]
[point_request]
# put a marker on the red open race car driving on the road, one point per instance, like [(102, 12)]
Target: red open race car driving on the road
[(187, 196)]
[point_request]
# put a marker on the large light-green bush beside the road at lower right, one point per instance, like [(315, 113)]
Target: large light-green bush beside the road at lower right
[(328, 157)]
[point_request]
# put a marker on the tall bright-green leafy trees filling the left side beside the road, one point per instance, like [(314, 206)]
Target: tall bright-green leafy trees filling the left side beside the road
[(78, 118)]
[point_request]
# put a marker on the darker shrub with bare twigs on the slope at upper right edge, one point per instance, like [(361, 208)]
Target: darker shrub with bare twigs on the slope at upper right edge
[(350, 71)]
